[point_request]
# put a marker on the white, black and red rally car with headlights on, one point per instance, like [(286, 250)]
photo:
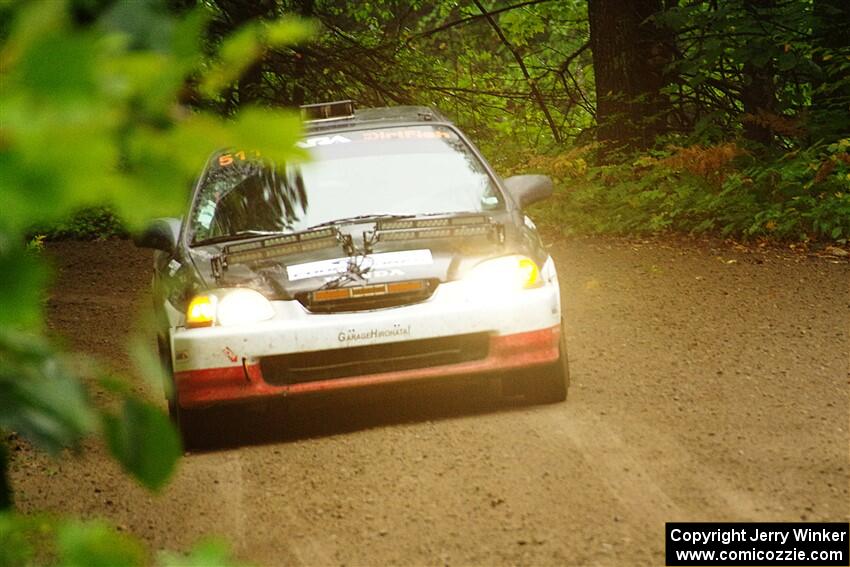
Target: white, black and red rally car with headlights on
[(393, 254)]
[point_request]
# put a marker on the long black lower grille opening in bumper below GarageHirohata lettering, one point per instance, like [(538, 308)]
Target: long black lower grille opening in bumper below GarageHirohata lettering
[(373, 359)]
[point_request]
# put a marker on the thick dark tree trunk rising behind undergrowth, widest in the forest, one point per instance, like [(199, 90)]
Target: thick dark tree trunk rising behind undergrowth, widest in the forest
[(630, 55)]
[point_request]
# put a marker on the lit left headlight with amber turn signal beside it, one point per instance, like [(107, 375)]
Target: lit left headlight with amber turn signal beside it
[(228, 307)]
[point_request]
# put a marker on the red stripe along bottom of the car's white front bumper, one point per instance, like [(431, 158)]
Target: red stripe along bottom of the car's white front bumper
[(209, 386)]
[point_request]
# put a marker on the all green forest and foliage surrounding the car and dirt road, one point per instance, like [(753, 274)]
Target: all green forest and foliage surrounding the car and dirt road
[(724, 117)]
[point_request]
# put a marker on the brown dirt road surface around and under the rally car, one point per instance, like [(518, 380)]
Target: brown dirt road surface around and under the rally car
[(709, 384)]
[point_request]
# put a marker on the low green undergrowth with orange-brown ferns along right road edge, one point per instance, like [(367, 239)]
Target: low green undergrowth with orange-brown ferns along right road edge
[(718, 190)]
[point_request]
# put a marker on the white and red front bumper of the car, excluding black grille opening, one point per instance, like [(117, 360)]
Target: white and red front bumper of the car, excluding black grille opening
[(219, 364)]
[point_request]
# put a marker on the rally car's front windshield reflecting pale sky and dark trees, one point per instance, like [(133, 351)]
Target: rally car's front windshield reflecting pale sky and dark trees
[(409, 170)]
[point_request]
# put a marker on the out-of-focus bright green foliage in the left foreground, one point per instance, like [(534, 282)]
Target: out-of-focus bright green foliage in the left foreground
[(89, 118)]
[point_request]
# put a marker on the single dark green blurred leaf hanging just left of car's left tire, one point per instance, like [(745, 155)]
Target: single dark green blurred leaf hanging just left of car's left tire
[(144, 441)]
